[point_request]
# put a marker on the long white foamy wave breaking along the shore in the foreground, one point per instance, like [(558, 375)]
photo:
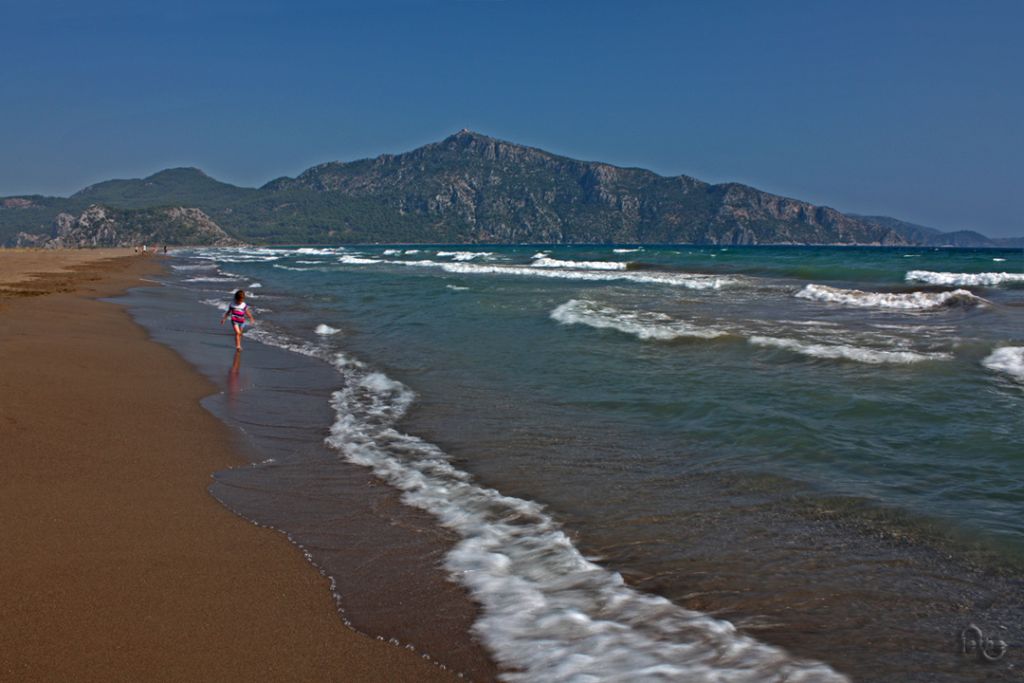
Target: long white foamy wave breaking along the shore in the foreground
[(547, 613)]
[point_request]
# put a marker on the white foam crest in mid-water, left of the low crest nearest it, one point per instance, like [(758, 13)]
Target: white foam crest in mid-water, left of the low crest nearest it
[(647, 326)]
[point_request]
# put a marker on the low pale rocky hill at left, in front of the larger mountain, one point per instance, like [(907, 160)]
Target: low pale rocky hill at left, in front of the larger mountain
[(103, 227)]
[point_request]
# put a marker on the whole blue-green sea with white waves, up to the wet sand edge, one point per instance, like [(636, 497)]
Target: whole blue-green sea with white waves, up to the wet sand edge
[(624, 463)]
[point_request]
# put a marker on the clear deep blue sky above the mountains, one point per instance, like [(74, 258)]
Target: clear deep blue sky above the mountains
[(914, 110)]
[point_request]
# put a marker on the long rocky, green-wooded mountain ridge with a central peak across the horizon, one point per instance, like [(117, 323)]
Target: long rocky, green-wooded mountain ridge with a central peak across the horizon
[(474, 189)]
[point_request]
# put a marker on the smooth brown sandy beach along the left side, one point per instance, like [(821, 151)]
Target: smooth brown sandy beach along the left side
[(117, 563)]
